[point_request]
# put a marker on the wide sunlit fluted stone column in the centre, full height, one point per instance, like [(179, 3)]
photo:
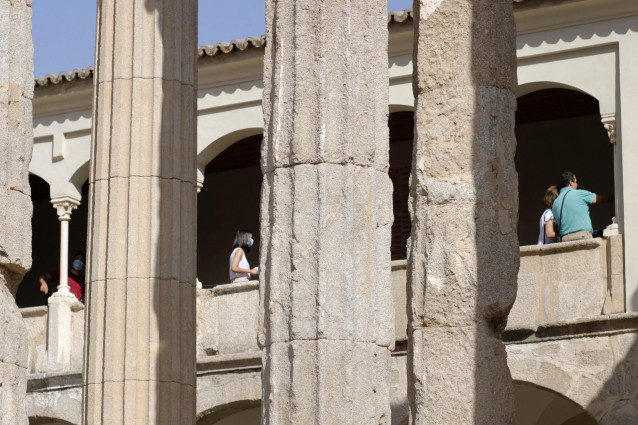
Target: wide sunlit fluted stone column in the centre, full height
[(326, 214)]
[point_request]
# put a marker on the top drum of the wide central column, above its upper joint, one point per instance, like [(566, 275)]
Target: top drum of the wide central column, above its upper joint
[(328, 108)]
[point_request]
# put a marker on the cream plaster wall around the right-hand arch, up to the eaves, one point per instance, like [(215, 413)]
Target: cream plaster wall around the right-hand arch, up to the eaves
[(592, 46)]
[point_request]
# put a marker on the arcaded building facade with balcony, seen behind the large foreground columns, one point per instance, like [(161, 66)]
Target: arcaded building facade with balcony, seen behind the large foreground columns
[(572, 334)]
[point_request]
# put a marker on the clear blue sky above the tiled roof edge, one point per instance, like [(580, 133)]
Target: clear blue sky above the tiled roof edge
[(64, 30)]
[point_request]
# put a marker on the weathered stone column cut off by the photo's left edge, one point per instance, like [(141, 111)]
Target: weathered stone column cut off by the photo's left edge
[(16, 143)]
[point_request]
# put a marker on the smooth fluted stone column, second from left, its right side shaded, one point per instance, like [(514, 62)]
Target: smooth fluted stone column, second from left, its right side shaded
[(140, 337)]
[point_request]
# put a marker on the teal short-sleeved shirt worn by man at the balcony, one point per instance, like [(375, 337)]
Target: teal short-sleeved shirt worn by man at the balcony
[(575, 210)]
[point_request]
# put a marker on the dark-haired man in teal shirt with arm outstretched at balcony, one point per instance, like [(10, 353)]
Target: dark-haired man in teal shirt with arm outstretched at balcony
[(571, 209)]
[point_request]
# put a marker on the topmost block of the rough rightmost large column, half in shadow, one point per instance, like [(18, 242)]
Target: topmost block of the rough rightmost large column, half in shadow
[(452, 39)]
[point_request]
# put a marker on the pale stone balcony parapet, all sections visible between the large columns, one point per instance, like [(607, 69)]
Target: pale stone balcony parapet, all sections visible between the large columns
[(559, 282)]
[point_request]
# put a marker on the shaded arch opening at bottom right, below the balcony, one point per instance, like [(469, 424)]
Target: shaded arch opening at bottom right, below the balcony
[(537, 405)]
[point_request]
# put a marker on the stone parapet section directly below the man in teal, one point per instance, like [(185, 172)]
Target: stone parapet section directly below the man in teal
[(568, 281)]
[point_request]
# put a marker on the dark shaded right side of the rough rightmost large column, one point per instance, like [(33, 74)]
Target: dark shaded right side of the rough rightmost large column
[(493, 74)]
